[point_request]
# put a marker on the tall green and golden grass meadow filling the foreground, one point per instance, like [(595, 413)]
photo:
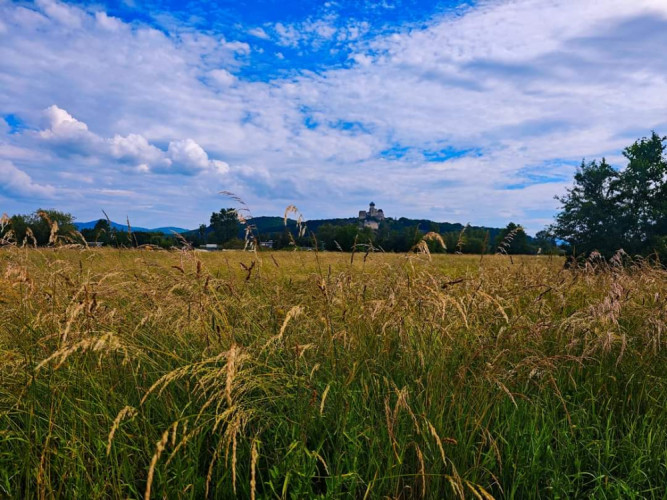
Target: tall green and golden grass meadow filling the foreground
[(132, 374)]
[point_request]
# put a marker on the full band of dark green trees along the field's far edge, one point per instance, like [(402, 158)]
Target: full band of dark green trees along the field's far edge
[(606, 210)]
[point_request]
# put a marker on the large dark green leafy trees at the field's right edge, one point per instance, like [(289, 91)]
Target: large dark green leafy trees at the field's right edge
[(608, 210)]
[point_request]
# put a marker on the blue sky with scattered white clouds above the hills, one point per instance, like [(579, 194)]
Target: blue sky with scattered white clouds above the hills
[(453, 111)]
